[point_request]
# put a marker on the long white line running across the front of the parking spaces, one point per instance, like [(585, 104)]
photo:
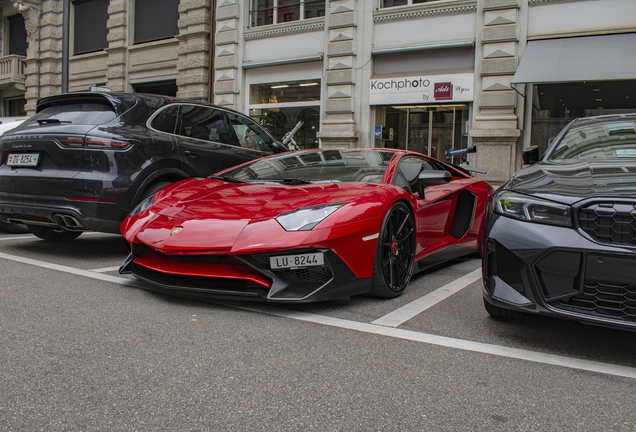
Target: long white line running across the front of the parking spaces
[(497, 350)]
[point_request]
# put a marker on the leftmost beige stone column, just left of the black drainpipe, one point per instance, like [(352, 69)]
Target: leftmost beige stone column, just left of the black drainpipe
[(44, 53)]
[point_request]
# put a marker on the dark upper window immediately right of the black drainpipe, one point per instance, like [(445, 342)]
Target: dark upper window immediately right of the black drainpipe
[(89, 26)]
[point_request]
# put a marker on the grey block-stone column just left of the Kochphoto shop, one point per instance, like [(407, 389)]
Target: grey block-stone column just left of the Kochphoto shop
[(338, 128)]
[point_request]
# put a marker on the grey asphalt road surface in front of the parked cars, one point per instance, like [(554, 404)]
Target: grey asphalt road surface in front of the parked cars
[(83, 348)]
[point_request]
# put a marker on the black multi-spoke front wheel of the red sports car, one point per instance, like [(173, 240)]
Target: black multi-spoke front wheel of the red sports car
[(395, 254)]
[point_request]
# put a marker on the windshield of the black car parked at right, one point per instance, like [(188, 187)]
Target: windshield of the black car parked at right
[(612, 138)]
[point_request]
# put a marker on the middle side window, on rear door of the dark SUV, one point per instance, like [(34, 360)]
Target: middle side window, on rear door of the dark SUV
[(204, 123)]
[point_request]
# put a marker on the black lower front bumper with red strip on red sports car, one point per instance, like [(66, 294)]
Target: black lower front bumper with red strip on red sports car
[(243, 277)]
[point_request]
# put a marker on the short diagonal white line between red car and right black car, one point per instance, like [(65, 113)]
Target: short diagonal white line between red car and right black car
[(408, 311)]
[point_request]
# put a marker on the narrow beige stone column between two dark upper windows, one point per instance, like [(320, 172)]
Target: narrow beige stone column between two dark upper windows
[(117, 46)]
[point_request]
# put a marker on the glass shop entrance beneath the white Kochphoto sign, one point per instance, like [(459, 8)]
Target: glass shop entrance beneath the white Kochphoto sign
[(428, 129)]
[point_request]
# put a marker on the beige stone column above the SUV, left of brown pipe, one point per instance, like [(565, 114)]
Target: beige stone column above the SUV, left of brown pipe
[(194, 49)]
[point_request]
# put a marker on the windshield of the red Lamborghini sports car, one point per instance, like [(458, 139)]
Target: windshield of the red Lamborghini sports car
[(317, 165)]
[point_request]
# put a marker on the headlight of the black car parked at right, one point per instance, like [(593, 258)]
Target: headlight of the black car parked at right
[(531, 209)]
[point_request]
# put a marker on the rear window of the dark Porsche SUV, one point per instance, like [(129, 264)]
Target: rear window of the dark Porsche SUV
[(92, 113)]
